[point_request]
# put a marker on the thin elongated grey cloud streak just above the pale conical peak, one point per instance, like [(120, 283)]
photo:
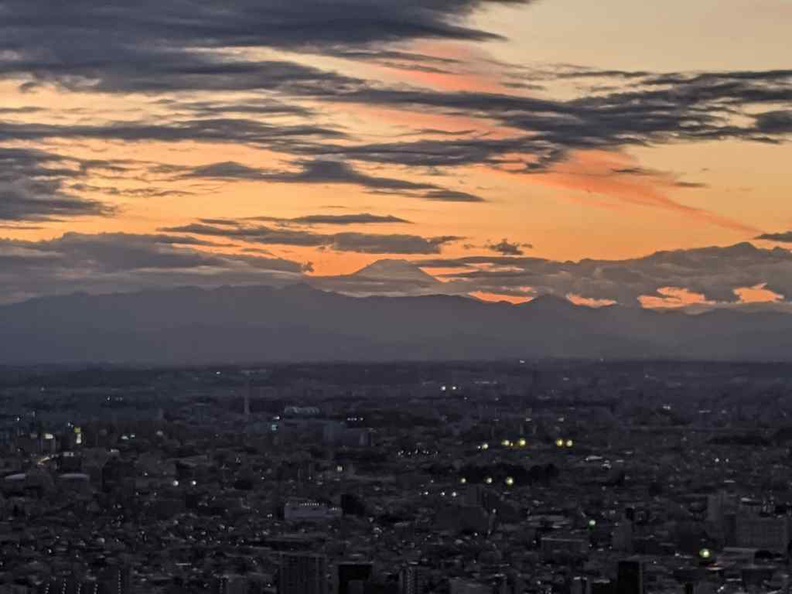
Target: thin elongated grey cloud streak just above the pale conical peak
[(365, 243)]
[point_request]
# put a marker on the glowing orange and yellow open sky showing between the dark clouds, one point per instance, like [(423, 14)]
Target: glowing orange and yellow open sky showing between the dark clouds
[(622, 193)]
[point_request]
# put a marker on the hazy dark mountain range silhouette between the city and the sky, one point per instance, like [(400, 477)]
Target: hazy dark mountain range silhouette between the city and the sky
[(303, 323)]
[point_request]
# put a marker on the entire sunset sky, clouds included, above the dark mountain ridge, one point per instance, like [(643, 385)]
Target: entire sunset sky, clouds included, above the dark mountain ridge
[(609, 152)]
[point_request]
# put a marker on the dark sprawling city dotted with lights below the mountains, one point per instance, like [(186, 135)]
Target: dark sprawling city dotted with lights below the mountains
[(469, 478)]
